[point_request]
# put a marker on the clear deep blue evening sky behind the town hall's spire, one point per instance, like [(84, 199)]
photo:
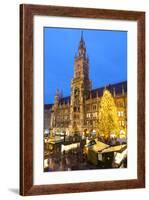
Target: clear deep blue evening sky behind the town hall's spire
[(107, 51)]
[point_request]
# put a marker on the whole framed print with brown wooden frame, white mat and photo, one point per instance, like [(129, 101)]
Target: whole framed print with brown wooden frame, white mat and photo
[(82, 99)]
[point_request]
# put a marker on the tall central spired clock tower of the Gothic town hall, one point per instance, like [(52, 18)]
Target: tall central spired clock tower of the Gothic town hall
[(80, 88)]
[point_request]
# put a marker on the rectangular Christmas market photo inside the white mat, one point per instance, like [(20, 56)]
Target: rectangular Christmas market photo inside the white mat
[(85, 99)]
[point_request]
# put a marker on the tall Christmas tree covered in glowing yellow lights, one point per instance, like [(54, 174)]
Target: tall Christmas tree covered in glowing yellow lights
[(108, 119)]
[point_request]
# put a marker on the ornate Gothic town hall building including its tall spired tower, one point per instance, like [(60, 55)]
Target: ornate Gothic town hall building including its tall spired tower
[(79, 111)]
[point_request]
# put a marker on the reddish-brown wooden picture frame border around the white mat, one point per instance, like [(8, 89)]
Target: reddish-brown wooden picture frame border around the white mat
[(27, 12)]
